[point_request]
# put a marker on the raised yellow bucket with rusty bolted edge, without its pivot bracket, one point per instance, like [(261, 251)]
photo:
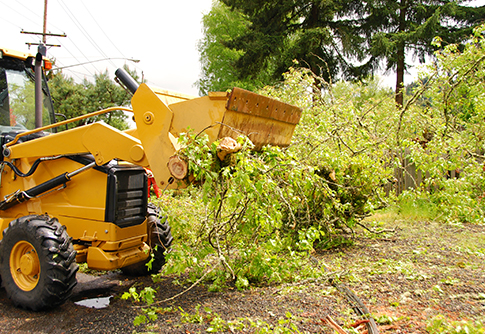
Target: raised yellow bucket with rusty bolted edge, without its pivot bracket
[(265, 121)]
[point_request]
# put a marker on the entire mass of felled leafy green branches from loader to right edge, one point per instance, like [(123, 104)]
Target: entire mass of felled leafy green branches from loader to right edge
[(257, 217)]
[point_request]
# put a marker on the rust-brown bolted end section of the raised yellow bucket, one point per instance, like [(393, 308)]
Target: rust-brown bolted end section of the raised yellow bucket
[(264, 120)]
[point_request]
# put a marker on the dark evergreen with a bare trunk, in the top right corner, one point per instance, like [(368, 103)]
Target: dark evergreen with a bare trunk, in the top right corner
[(392, 29)]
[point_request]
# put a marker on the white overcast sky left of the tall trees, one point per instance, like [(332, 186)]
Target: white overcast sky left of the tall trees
[(162, 34)]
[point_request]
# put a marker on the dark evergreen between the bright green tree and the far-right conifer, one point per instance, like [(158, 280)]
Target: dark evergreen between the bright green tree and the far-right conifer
[(282, 31)]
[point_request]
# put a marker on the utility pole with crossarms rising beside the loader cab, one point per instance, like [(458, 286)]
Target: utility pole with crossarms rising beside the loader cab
[(41, 52)]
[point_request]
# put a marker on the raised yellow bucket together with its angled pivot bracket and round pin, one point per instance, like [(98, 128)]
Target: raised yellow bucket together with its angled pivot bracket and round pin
[(161, 118)]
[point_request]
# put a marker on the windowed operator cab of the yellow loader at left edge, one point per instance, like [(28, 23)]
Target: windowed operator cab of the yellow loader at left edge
[(17, 93)]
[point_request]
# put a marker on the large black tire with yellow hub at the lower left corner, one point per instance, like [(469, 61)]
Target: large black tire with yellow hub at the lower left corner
[(37, 262)]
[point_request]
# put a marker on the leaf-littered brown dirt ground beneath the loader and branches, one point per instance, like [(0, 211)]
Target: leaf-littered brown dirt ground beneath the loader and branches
[(405, 278)]
